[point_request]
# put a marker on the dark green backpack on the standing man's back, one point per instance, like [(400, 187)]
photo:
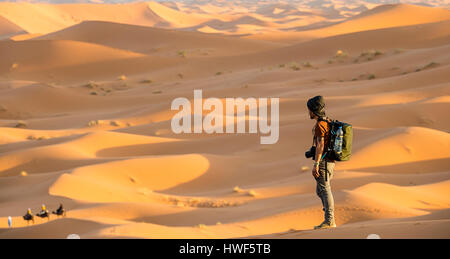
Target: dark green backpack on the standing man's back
[(332, 151)]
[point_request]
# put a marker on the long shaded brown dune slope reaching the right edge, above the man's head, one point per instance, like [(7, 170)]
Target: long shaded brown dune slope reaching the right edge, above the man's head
[(434, 34)]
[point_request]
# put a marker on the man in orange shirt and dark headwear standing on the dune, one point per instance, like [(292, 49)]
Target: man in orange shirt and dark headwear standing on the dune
[(323, 166)]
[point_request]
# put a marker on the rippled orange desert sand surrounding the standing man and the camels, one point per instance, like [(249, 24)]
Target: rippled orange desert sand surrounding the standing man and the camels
[(85, 119)]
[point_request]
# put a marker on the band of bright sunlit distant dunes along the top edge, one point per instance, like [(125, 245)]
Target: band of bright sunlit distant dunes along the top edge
[(288, 20)]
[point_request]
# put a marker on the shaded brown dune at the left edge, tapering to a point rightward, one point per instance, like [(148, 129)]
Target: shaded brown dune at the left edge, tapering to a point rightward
[(21, 60)]
